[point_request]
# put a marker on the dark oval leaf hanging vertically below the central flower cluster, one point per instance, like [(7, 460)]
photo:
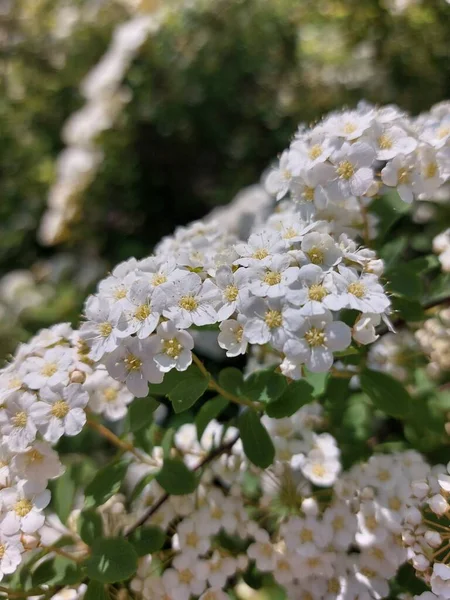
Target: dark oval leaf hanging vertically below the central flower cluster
[(257, 444)]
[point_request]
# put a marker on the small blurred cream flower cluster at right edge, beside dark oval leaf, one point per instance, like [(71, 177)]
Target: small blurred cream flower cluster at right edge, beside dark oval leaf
[(434, 339)]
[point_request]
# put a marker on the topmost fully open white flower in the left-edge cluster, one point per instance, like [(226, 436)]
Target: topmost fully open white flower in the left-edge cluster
[(51, 369)]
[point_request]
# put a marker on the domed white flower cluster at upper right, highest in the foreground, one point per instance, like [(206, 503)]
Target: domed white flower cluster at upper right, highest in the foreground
[(340, 164)]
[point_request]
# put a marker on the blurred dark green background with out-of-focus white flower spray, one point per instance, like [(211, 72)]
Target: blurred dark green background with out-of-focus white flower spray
[(121, 119)]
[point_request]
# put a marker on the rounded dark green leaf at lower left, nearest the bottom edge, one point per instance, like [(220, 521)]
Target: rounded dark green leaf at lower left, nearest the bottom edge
[(111, 560)]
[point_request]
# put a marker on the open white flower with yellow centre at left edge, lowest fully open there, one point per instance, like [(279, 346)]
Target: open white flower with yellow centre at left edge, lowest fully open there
[(23, 511)]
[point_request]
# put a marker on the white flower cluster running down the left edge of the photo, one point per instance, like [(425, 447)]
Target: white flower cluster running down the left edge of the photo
[(44, 393)]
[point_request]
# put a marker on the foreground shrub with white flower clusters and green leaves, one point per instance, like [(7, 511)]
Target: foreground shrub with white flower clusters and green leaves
[(312, 465)]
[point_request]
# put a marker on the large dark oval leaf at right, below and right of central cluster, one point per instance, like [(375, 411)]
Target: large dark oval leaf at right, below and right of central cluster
[(386, 393)]
